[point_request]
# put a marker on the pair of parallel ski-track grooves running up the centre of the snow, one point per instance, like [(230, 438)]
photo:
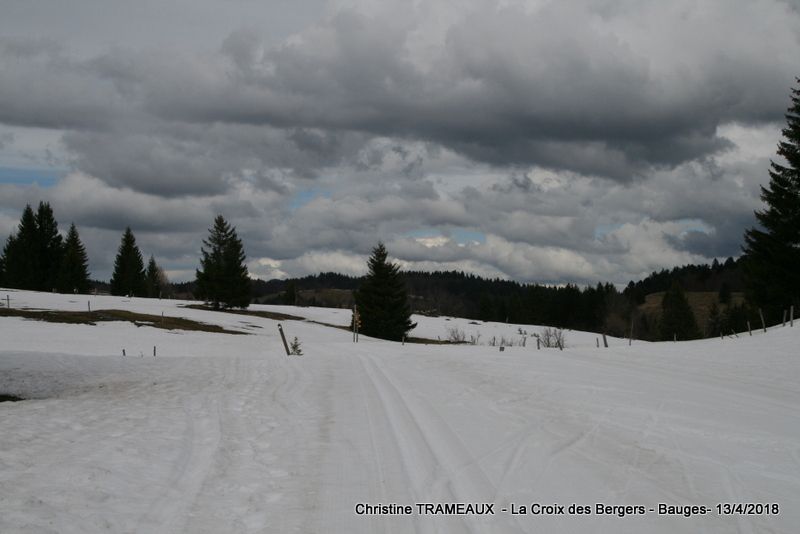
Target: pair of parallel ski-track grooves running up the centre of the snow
[(437, 462)]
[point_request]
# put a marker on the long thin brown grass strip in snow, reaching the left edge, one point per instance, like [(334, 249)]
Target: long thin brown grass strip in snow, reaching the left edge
[(94, 317)]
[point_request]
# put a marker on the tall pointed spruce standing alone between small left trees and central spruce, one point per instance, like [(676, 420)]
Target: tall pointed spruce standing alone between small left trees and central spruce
[(223, 279)]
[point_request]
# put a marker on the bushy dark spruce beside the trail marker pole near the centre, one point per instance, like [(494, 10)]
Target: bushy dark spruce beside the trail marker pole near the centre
[(382, 299)]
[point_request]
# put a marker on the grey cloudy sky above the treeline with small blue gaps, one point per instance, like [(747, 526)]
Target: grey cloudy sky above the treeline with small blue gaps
[(548, 141)]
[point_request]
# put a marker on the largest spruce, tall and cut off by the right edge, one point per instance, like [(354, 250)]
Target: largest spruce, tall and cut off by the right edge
[(772, 252)]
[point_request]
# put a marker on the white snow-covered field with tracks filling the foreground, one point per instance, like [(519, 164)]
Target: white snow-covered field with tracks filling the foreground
[(224, 433)]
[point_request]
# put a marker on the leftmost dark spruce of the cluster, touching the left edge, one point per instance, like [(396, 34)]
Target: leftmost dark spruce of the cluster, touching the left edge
[(21, 257)]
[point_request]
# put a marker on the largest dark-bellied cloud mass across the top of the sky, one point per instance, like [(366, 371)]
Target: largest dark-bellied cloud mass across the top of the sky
[(553, 88)]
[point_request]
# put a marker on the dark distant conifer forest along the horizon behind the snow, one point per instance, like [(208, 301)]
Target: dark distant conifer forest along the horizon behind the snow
[(600, 308)]
